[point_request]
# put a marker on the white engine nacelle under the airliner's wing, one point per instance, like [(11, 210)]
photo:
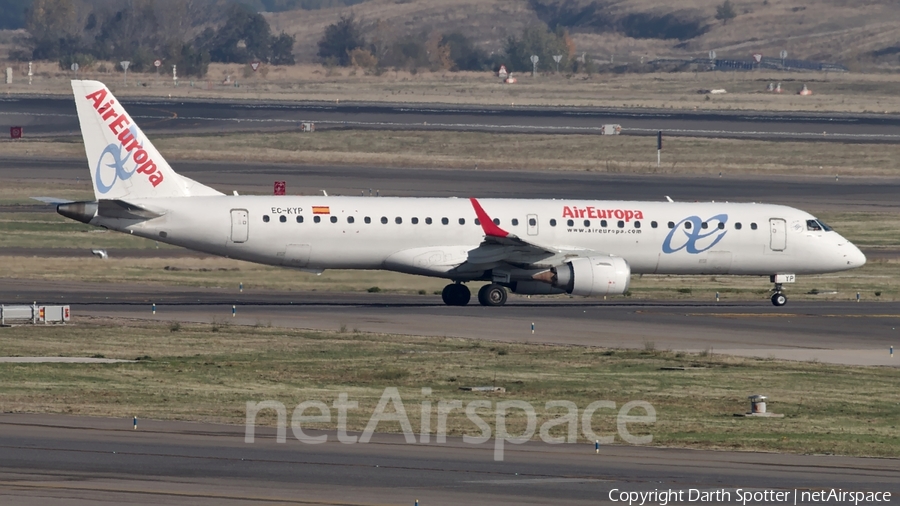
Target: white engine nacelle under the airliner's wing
[(594, 276)]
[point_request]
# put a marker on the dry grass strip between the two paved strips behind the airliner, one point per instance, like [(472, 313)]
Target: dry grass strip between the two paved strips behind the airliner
[(502, 151)]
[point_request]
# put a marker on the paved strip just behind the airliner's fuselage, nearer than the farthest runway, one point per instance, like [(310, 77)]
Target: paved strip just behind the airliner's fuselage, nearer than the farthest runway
[(811, 193)]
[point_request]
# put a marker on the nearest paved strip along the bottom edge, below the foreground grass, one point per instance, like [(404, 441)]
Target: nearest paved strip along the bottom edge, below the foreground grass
[(59, 459)]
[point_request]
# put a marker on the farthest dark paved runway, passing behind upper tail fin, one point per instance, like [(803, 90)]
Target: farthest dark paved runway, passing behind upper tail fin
[(53, 116)]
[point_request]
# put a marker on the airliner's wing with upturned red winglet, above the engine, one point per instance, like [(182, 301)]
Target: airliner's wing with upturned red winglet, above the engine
[(501, 246)]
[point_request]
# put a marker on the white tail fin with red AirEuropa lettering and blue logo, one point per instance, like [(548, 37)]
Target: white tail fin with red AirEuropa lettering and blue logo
[(123, 161)]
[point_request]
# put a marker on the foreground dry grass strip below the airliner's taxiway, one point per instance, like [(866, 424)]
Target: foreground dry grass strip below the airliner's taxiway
[(208, 373)]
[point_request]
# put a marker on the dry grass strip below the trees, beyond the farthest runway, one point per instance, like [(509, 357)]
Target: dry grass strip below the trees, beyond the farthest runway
[(841, 92)]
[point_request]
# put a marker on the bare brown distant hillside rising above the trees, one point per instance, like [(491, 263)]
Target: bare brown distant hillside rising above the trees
[(862, 34)]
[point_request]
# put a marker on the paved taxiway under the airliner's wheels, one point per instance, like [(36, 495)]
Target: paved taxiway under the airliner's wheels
[(823, 331)]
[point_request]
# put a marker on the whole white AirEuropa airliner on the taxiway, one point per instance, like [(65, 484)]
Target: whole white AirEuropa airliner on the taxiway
[(580, 247)]
